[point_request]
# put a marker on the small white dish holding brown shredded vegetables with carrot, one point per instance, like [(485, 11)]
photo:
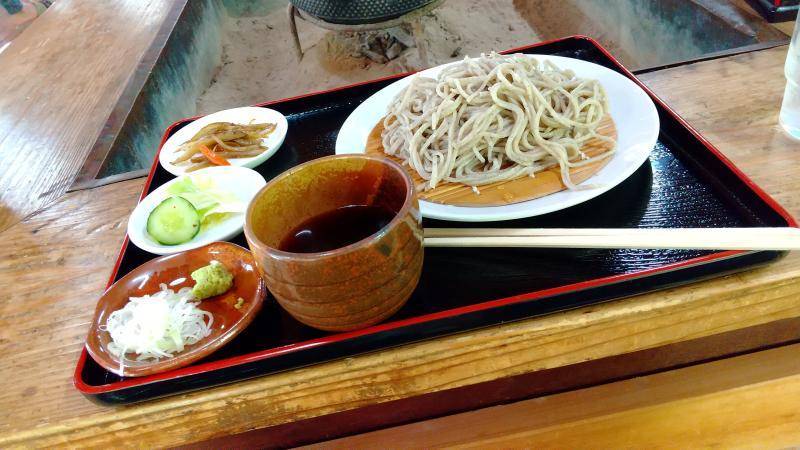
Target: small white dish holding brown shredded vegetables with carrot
[(244, 116)]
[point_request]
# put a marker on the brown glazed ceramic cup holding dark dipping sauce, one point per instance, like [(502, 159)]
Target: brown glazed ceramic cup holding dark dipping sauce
[(349, 287)]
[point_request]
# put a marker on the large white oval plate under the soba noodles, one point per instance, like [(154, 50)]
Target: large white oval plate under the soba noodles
[(632, 109)]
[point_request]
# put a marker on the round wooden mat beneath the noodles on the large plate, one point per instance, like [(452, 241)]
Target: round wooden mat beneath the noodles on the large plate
[(544, 183)]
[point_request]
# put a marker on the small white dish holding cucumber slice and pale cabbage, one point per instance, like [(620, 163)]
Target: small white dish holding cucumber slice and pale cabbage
[(242, 182)]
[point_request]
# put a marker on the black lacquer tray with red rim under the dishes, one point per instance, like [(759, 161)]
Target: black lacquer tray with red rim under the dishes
[(685, 183)]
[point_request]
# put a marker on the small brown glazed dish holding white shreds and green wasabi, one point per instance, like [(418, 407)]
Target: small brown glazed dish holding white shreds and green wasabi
[(146, 280)]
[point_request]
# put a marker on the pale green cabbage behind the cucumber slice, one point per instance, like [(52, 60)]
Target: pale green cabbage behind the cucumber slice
[(208, 199)]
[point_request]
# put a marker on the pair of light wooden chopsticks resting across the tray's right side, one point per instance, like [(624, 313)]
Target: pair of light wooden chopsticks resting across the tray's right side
[(757, 238)]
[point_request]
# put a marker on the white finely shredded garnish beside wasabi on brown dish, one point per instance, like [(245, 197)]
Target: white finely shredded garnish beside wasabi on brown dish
[(157, 326)]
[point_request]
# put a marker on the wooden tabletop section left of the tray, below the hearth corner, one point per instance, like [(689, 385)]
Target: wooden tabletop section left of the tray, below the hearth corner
[(55, 266)]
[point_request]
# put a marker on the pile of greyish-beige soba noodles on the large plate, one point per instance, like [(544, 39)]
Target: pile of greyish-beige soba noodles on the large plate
[(495, 118)]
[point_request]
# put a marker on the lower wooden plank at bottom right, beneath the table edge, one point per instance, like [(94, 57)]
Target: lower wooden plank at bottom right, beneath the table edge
[(744, 402)]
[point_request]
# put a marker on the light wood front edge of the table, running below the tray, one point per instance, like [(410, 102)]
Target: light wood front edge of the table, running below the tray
[(733, 302)]
